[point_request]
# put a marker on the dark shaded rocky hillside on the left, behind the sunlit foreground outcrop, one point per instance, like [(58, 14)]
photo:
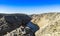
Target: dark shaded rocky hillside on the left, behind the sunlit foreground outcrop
[(10, 22)]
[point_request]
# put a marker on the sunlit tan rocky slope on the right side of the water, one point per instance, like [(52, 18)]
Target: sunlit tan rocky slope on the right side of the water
[(49, 24)]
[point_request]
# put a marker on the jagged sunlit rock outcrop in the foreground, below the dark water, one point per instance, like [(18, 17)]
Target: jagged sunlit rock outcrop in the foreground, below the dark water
[(21, 31)]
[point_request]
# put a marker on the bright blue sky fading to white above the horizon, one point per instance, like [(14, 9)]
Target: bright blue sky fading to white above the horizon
[(29, 6)]
